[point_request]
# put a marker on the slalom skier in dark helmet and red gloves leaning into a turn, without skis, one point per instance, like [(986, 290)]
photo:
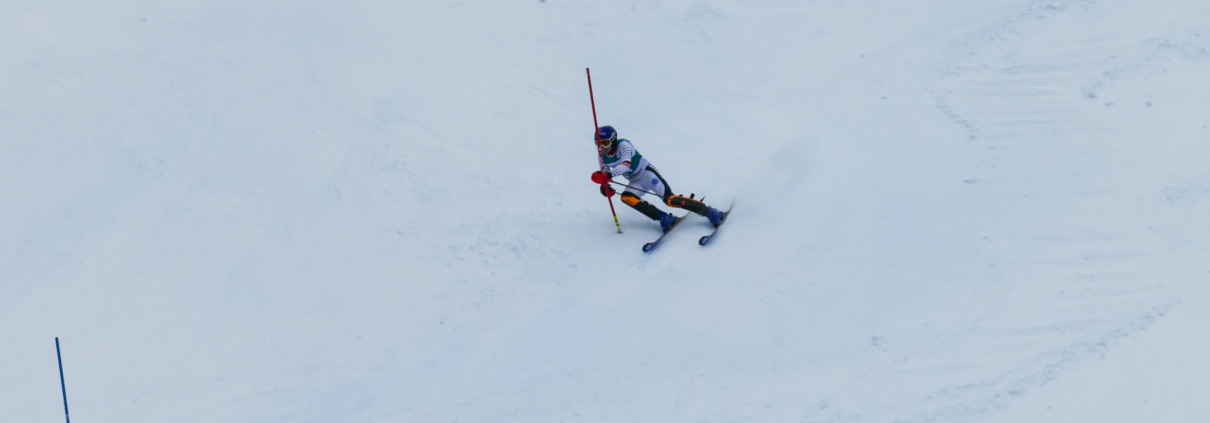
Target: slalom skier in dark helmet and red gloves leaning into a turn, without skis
[(621, 159)]
